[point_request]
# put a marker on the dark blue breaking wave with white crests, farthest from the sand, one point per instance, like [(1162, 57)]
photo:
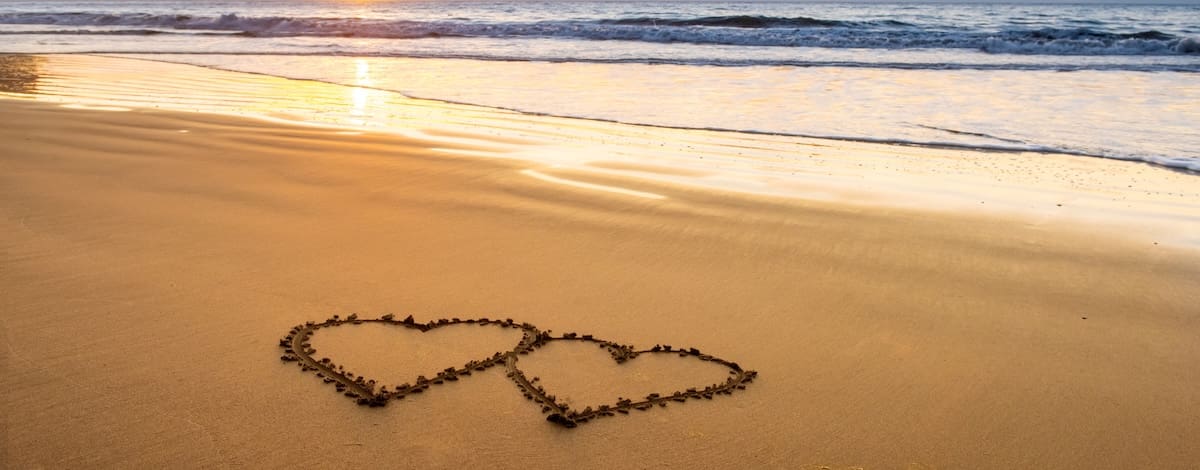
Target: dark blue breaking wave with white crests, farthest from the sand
[(729, 31)]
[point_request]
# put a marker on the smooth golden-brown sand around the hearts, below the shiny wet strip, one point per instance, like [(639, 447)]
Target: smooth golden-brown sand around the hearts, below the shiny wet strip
[(151, 262)]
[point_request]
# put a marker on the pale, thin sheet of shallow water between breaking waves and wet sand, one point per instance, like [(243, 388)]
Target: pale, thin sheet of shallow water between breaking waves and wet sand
[(1142, 117)]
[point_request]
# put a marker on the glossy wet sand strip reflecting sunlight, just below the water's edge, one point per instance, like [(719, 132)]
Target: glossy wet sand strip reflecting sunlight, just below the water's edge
[(1144, 202)]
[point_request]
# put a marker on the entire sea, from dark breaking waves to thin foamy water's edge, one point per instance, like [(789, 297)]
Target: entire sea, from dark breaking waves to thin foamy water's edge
[(1095, 81)]
